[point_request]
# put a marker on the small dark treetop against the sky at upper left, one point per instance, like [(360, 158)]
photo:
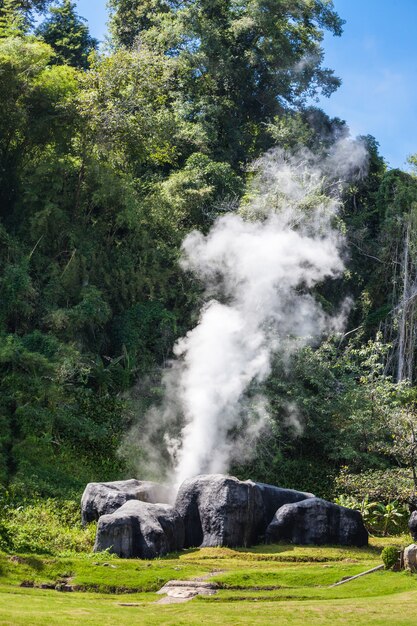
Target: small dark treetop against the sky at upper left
[(65, 31)]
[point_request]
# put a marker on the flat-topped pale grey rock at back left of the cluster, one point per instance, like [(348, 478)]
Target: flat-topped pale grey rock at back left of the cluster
[(103, 498)]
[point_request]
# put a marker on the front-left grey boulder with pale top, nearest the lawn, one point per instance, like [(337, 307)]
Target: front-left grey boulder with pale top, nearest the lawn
[(140, 529)]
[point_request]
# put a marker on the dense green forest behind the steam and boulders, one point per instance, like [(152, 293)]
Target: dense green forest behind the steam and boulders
[(109, 157)]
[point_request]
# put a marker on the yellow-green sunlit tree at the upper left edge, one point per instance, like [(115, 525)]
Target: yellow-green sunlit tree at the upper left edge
[(35, 110)]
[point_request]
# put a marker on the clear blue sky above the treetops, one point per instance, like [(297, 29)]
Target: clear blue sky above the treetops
[(376, 58)]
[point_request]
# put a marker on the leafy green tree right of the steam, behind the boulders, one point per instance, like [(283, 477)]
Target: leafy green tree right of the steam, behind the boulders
[(331, 407)]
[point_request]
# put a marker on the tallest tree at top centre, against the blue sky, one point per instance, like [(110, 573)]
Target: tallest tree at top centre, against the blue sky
[(241, 64)]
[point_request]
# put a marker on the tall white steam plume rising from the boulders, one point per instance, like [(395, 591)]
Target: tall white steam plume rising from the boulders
[(258, 267)]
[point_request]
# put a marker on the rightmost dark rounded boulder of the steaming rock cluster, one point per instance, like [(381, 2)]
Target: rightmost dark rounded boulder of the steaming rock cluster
[(316, 521)]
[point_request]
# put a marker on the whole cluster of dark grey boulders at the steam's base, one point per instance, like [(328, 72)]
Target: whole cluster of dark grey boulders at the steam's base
[(134, 519)]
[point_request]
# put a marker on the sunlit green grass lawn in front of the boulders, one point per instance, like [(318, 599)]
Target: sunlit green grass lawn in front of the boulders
[(267, 584)]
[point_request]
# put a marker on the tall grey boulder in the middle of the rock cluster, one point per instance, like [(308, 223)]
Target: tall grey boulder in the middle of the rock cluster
[(220, 511)]
